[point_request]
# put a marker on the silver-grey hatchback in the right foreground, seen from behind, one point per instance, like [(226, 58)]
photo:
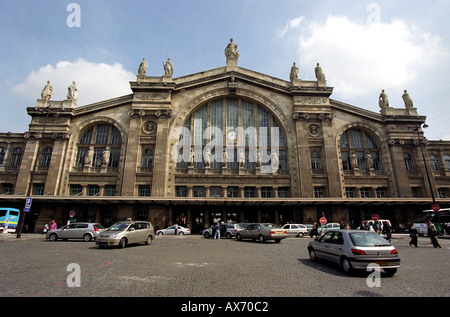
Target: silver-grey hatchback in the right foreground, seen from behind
[(355, 250)]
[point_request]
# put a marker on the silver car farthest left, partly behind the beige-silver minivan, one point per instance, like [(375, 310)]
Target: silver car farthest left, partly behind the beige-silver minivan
[(78, 230)]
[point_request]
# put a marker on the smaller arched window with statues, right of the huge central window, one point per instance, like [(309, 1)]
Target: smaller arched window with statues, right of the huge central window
[(359, 143)]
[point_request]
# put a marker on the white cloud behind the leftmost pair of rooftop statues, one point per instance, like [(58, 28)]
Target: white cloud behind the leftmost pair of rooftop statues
[(95, 81)]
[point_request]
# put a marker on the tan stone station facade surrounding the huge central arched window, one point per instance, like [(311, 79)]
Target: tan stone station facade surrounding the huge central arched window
[(148, 121)]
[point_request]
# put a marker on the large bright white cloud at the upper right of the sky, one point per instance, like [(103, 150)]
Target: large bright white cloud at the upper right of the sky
[(362, 59)]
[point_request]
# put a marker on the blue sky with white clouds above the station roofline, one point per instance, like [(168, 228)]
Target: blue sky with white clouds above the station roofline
[(362, 46)]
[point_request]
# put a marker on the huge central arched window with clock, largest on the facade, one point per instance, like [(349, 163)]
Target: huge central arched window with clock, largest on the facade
[(232, 133)]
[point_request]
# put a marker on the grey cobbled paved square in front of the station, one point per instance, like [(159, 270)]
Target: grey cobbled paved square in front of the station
[(191, 266)]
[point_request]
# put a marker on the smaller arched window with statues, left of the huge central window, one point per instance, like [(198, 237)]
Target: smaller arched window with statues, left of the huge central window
[(99, 145)]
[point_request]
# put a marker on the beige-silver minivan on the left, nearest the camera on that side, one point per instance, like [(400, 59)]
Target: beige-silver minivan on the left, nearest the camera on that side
[(126, 232)]
